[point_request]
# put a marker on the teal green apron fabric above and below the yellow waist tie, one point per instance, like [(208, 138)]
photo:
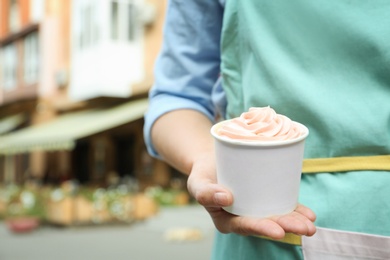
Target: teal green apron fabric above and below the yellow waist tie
[(325, 64)]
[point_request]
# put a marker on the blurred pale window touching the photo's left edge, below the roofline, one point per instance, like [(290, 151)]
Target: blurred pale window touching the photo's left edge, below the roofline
[(9, 67)]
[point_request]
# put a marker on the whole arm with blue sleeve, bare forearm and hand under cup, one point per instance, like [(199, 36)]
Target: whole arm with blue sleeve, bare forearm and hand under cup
[(177, 124)]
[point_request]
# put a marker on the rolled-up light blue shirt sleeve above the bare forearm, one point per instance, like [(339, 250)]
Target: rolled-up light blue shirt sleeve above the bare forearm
[(188, 66)]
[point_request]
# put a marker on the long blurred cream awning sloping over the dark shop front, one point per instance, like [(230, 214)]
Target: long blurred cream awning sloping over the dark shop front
[(62, 132)]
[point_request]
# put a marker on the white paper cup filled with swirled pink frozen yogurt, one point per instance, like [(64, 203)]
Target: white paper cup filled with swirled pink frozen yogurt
[(253, 152)]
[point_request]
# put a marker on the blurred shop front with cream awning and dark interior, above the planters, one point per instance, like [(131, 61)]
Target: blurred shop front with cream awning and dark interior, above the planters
[(95, 147)]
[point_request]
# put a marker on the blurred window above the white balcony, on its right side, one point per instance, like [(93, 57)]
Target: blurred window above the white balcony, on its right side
[(123, 20)]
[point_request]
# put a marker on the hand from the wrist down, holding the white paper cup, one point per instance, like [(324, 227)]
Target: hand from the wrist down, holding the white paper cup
[(203, 187)]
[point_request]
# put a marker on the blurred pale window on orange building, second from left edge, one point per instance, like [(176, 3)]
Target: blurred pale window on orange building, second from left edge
[(31, 58)]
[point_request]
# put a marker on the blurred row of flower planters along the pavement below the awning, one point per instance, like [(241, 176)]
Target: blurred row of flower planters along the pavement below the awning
[(69, 205)]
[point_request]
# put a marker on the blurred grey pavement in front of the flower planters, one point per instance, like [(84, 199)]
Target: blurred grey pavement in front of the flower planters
[(184, 232)]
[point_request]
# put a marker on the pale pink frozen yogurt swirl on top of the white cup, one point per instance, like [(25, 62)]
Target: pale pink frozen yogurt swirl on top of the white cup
[(260, 124)]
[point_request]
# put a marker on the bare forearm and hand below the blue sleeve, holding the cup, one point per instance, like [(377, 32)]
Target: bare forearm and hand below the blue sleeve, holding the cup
[(183, 139)]
